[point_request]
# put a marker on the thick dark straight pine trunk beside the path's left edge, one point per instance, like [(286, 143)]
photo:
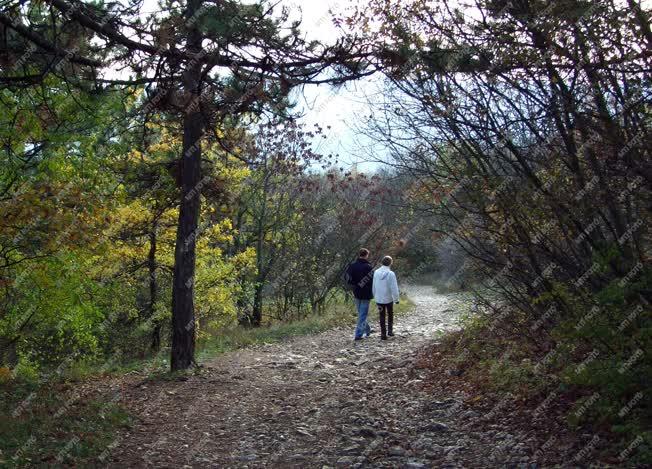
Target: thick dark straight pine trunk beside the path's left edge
[(183, 314)]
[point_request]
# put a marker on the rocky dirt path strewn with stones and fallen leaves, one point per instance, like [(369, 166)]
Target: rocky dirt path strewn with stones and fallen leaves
[(315, 401)]
